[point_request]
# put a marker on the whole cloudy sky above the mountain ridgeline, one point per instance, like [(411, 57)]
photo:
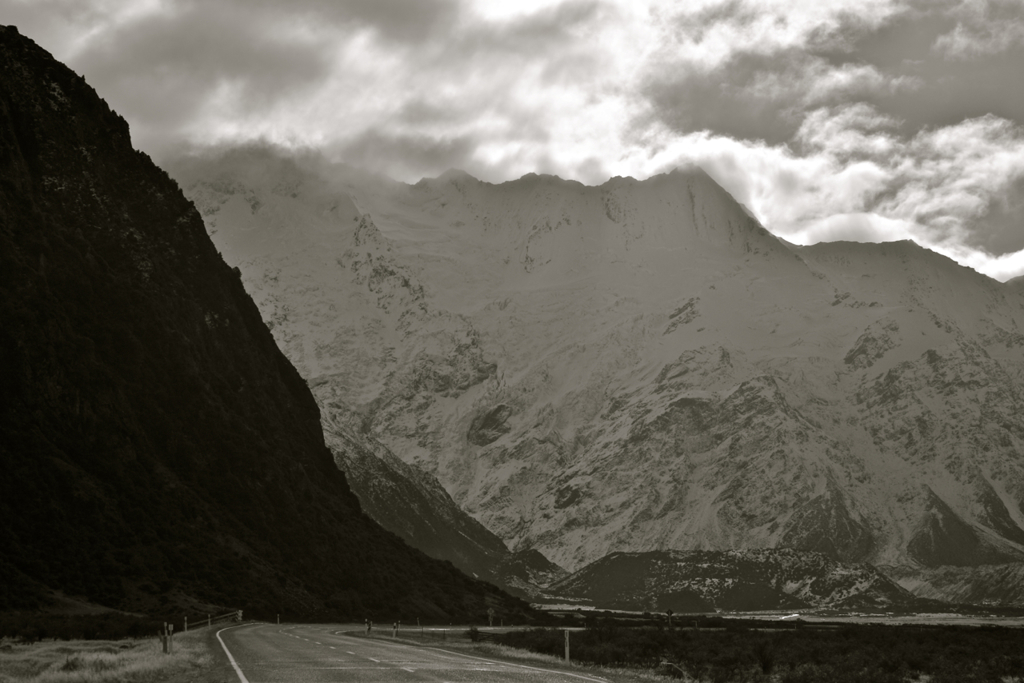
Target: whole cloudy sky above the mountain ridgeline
[(869, 120)]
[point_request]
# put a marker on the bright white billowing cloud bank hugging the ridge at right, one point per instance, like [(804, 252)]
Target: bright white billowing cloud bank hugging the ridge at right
[(858, 180)]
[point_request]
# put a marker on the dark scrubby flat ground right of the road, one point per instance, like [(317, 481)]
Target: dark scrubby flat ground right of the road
[(850, 654)]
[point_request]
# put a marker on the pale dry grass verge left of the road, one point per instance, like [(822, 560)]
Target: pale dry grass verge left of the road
[(102, 662)]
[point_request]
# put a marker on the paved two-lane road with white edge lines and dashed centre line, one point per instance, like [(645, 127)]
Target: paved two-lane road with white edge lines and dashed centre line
[(314, 654)]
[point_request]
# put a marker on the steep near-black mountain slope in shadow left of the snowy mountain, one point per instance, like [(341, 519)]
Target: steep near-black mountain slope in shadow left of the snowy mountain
[(156, 446)]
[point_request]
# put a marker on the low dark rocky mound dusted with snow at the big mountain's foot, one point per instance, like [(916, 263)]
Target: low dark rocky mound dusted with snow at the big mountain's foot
[(753, 580)]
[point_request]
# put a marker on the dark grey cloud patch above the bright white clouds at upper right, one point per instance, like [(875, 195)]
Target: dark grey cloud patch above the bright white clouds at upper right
[(899, 66)]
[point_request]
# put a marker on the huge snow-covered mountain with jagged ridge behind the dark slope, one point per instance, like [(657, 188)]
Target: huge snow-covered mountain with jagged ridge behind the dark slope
[(641, 366)]
